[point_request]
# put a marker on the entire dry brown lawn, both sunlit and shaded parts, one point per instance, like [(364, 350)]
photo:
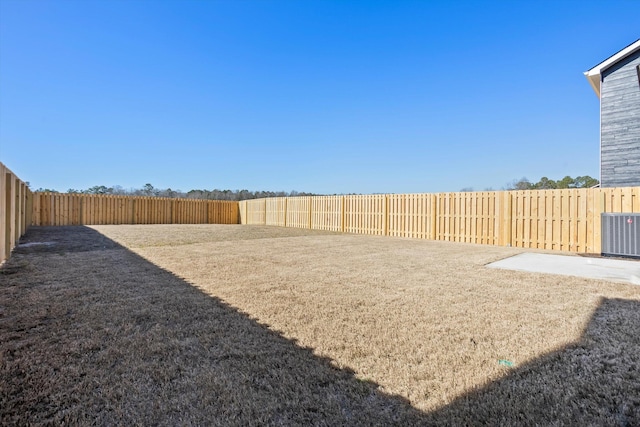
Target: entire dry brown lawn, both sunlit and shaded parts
[(211, 324)]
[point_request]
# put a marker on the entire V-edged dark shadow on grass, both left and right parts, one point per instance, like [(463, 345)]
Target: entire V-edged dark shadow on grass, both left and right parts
[(91, 333)]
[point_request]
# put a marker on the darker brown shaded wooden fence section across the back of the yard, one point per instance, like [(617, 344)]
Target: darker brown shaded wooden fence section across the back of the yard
[(90, 209)]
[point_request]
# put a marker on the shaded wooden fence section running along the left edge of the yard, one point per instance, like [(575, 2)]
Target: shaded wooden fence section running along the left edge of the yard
[(15, 210)]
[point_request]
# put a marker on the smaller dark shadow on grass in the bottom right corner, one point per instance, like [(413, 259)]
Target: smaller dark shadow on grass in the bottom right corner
[(595, 381)]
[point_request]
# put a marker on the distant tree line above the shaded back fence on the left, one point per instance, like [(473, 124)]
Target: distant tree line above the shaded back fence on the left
[(150, 191)]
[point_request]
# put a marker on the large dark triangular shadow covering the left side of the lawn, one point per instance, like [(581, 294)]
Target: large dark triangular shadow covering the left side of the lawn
[(93, 333)]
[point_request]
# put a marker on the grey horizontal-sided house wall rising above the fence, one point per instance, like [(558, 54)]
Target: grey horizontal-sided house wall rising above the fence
[(620, 124)]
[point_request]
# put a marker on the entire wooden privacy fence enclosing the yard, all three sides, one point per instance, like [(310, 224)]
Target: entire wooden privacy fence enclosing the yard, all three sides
[(564, 220)]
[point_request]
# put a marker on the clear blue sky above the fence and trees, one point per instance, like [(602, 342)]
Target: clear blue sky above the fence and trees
[(317, 96)]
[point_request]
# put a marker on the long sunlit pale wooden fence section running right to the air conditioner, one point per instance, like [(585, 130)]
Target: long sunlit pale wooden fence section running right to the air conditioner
[(564, 220)]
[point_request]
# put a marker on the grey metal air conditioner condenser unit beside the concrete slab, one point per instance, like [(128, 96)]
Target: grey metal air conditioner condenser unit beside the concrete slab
[(621, 234)]
